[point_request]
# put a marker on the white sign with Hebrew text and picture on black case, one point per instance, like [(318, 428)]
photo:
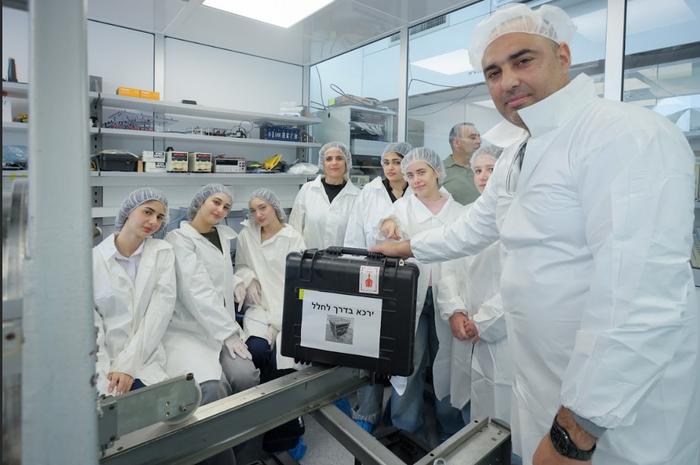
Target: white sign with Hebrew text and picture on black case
[(341, 323)]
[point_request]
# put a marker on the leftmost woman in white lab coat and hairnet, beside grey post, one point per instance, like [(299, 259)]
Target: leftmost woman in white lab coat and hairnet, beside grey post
[(134, 294)]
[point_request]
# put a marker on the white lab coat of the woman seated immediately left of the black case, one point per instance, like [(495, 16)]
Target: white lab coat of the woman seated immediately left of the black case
[(266, 262)]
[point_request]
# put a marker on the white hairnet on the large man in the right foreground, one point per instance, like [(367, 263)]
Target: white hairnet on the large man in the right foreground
[(548, 21)]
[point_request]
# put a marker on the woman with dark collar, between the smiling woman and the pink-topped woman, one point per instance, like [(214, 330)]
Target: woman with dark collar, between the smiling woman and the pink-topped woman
[(374, 203)]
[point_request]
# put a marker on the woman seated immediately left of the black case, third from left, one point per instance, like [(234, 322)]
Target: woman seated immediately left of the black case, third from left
[(261, 253)]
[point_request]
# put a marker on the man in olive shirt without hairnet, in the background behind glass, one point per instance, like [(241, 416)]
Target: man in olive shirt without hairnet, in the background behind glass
[(464, 141)]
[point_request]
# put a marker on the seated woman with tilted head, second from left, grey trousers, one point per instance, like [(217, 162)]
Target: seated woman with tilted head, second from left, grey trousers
[(204, 337)]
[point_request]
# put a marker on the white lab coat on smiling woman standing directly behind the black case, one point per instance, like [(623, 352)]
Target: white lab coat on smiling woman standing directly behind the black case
[(320, 222)]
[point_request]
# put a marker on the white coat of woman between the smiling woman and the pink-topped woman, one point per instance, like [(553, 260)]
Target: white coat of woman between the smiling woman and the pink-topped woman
[(371, 206)]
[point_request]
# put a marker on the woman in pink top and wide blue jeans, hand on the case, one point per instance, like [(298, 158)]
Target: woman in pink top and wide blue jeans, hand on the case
[(428, 206)]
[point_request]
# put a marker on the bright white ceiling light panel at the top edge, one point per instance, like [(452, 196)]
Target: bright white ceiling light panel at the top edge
[(283, 13)]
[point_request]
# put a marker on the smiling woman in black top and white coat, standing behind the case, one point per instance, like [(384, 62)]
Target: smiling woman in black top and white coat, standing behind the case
[(322, 206)]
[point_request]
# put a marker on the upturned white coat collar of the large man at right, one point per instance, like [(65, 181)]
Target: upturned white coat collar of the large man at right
[(555, 110)]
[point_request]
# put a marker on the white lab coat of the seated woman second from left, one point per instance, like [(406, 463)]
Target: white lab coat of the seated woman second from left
[(204, 312)]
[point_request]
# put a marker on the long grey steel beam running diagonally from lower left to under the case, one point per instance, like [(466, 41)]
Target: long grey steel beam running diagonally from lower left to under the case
[(230, 421)]
